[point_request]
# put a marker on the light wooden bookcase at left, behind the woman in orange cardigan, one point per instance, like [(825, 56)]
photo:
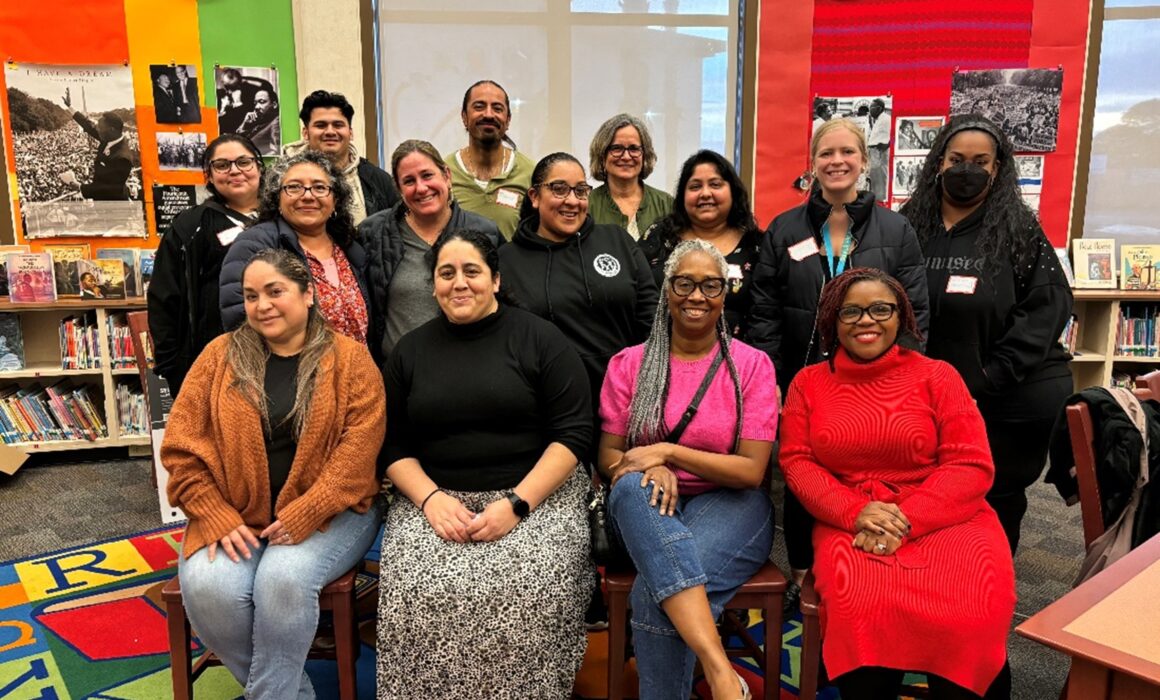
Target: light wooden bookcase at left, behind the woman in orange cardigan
[(41, 330)]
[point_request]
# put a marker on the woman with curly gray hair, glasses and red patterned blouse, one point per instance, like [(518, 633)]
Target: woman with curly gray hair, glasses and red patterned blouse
[(306, 210)]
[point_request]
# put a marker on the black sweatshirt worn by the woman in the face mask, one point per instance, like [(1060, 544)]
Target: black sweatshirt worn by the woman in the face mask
[(998, 324)]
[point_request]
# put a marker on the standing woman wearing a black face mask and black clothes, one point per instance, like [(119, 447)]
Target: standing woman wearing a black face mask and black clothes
[(999, 301)]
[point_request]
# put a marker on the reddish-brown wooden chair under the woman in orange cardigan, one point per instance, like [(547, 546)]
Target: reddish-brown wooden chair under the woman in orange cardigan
[(338, 597)]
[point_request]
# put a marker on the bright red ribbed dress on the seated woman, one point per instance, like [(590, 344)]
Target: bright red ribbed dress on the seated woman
[(902, 430)]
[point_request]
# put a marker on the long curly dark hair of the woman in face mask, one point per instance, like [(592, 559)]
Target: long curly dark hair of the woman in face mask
[(1009, 223)]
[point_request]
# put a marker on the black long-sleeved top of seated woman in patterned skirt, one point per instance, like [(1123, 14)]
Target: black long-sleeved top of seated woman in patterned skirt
[(477, 405)]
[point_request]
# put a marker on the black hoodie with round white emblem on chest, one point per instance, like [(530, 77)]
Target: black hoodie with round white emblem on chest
[(596, 287)]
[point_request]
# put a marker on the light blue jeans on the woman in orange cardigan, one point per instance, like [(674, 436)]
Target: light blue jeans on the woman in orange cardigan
[(260, 616)]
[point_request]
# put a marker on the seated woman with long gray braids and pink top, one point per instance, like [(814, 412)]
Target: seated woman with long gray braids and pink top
[(691, 511)]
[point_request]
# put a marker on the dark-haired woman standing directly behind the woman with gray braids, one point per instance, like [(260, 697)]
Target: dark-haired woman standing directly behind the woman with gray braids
[(714, 206)]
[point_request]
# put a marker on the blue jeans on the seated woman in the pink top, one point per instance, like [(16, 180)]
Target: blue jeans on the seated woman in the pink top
[(717, 540)]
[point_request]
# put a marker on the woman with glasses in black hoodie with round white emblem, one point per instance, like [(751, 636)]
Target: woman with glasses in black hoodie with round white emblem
[(589, 279)]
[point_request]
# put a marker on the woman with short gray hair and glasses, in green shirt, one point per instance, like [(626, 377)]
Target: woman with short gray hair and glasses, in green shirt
[(622, 157)]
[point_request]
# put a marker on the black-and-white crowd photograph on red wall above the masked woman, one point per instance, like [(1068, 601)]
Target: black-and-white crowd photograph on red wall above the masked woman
[(1025, 103)]
